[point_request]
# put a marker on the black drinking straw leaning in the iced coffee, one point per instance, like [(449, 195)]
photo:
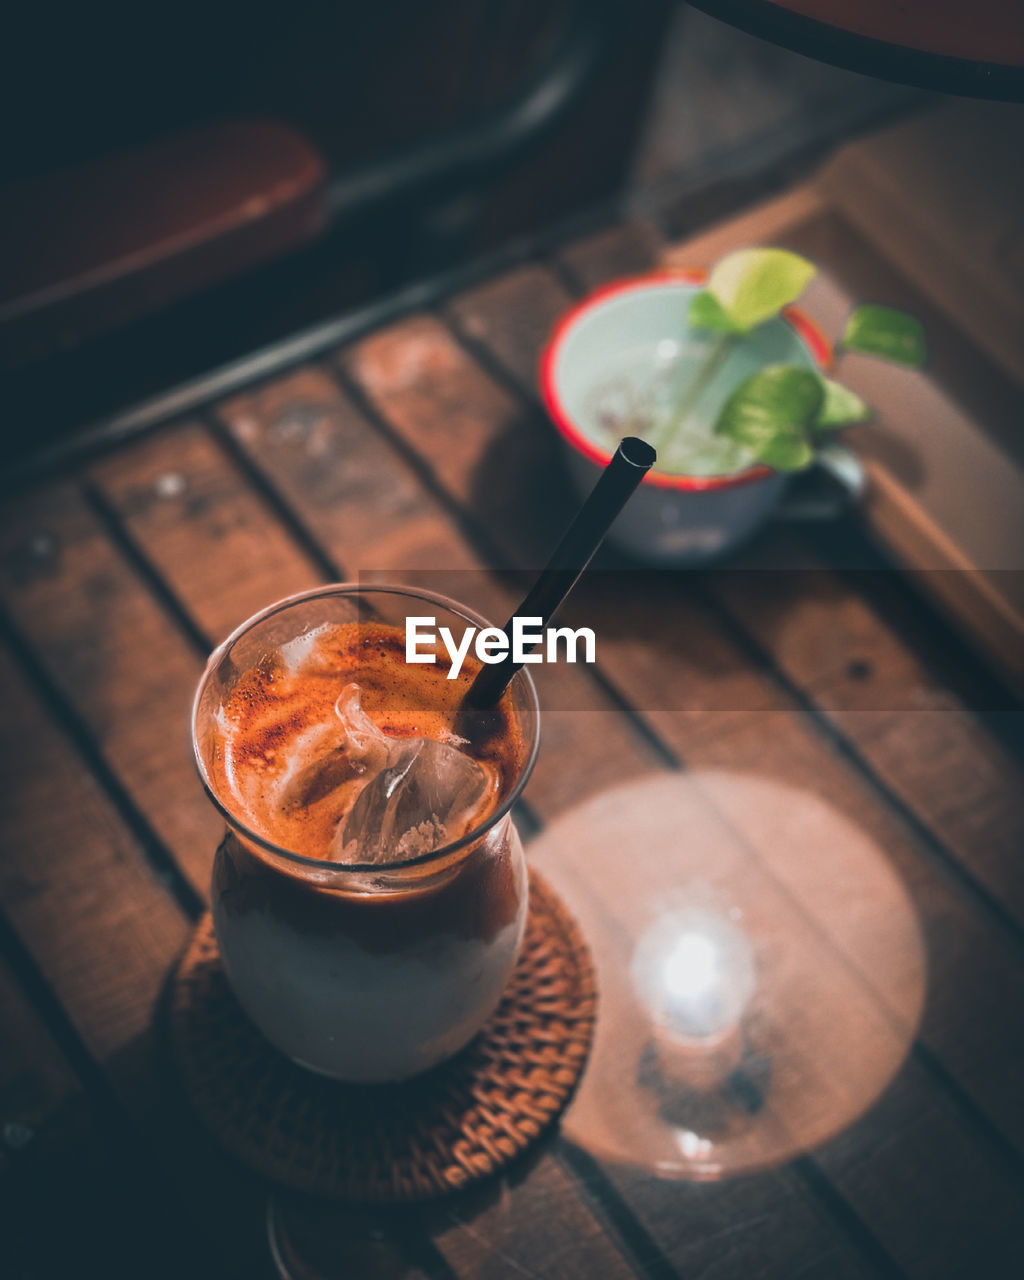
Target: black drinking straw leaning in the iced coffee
[(632, 463)]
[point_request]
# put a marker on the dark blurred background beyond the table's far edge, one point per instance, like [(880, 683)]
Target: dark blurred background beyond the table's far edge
[(148, 239)]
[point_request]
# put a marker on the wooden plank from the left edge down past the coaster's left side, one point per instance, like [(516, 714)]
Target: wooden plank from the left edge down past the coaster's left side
[(104, 931)]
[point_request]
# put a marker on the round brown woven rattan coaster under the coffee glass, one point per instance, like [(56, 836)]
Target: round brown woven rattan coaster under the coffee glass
[(427, 1137)]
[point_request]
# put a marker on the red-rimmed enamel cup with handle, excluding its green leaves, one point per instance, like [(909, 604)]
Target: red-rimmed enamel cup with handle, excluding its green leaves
[(620, 345)]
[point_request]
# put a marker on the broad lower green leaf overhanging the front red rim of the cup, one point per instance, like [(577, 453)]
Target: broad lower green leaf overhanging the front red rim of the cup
[(772, 414)]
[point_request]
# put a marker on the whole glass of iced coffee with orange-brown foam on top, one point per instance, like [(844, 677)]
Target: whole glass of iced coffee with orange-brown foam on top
[(371, 897)]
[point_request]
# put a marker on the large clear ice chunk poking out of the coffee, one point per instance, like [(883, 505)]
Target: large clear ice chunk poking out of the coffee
[(419, 796)]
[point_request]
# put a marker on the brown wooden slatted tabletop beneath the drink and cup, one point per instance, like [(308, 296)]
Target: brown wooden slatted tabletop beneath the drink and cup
[(420, 447)]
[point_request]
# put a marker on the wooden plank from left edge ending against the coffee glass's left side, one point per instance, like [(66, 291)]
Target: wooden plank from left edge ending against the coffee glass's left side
[(118, 660)]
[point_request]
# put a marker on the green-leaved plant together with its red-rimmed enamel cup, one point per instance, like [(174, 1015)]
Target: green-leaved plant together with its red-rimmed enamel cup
[(726, 378)]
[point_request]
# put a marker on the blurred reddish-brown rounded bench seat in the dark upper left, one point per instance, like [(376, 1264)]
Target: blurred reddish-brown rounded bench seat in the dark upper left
[(107, 243)]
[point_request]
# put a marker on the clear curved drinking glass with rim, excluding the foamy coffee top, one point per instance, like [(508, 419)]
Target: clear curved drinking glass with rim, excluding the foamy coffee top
[(363, 972)]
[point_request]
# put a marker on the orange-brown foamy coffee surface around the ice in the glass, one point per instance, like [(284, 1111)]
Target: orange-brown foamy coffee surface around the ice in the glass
[(284, 708)]
